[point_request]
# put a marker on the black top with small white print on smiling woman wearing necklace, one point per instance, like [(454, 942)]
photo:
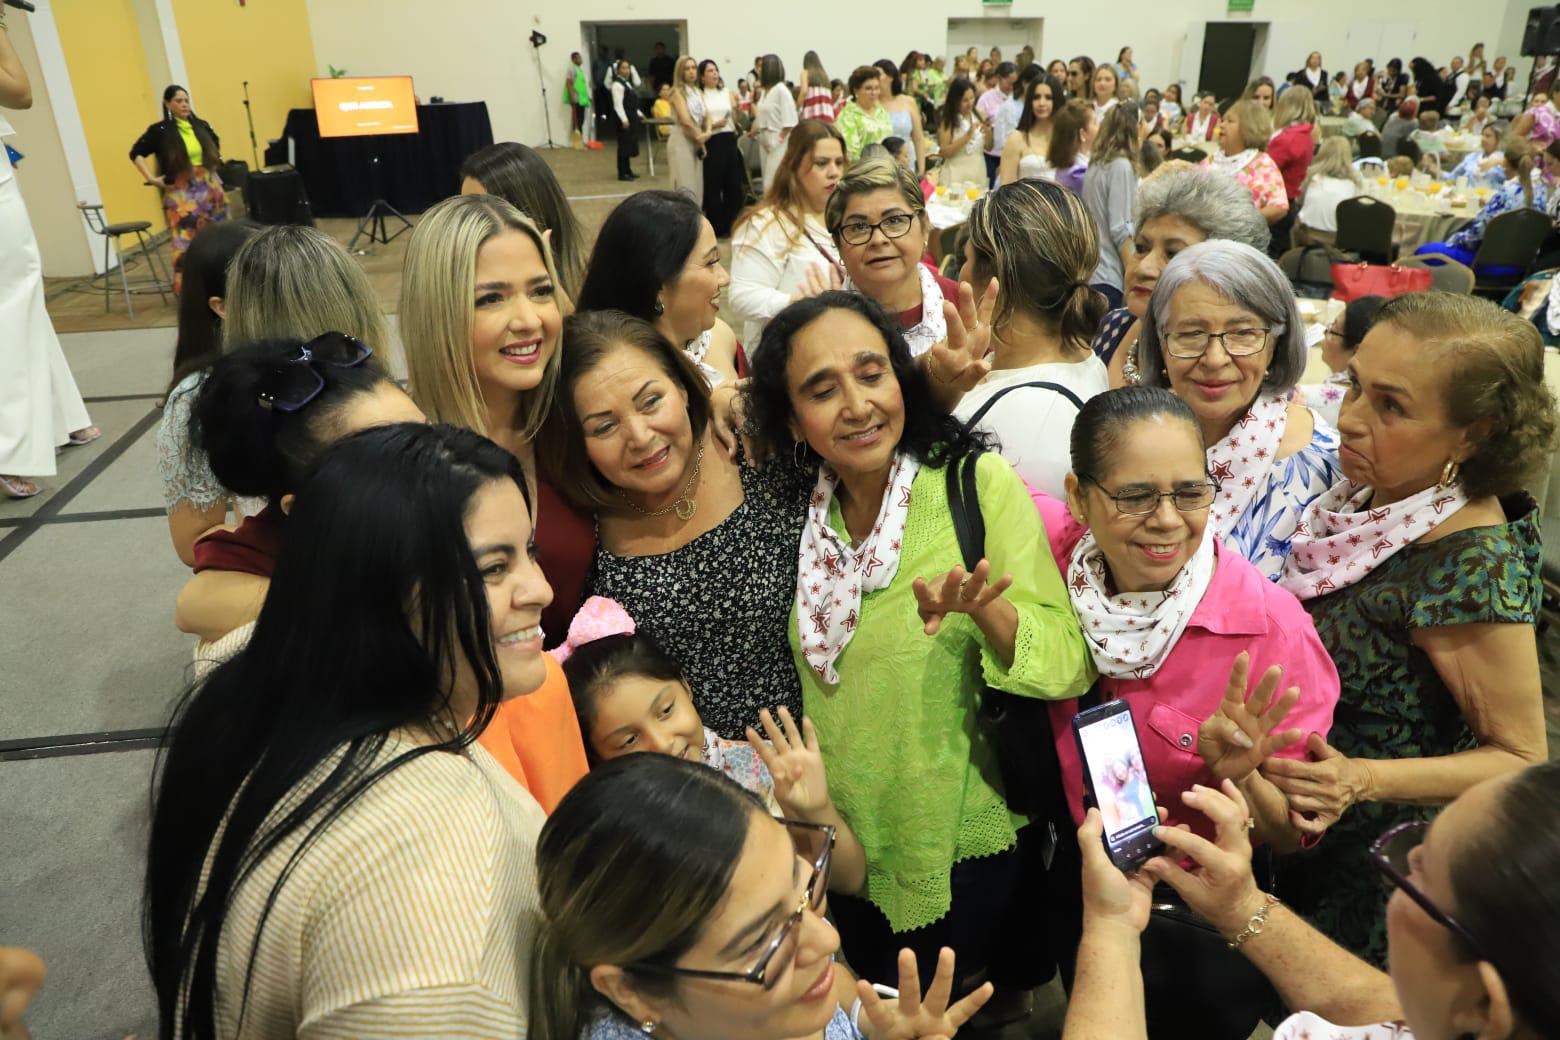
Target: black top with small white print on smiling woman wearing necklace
[(721, 606)]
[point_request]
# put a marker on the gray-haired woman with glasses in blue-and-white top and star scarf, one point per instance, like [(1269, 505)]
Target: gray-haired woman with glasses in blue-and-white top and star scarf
[(1224, 334)]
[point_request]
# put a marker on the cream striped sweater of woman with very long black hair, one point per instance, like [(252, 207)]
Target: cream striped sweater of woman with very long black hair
[(411, 916)]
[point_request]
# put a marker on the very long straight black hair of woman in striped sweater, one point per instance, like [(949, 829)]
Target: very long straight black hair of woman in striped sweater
[(375, 554)]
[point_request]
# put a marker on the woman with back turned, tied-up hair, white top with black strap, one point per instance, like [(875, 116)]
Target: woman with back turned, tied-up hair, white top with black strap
[(1041, 246)]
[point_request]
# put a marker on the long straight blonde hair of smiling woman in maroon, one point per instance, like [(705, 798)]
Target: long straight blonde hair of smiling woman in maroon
[(439, 313)]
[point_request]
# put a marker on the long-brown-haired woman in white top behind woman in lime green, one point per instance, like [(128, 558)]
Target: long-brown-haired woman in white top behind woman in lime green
[(781, 249)]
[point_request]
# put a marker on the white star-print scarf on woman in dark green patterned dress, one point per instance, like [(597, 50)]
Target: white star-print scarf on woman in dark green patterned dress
[(1341, 540)]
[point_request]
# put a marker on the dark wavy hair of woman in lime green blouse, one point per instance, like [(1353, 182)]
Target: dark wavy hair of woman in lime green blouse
[(931, 434)]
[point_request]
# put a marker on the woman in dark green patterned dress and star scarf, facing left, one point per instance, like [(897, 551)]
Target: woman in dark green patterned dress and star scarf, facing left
[(1422, 575)]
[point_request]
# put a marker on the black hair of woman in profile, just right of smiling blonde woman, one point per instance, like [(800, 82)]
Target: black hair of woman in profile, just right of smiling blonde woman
[(643, 246)]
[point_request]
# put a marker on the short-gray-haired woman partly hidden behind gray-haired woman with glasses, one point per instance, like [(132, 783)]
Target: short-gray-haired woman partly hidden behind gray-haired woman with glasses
[(1177, 208)]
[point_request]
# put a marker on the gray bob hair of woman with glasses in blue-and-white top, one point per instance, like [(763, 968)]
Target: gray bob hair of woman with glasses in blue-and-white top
[(1247, 278)]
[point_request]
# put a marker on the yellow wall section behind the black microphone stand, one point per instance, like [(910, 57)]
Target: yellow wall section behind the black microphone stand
[(266, 43)]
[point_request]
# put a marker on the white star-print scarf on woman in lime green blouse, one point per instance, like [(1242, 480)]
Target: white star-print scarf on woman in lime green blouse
[(832, 575)]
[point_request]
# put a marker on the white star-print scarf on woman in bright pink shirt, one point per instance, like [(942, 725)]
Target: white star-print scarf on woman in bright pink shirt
[(1132, 634)]
